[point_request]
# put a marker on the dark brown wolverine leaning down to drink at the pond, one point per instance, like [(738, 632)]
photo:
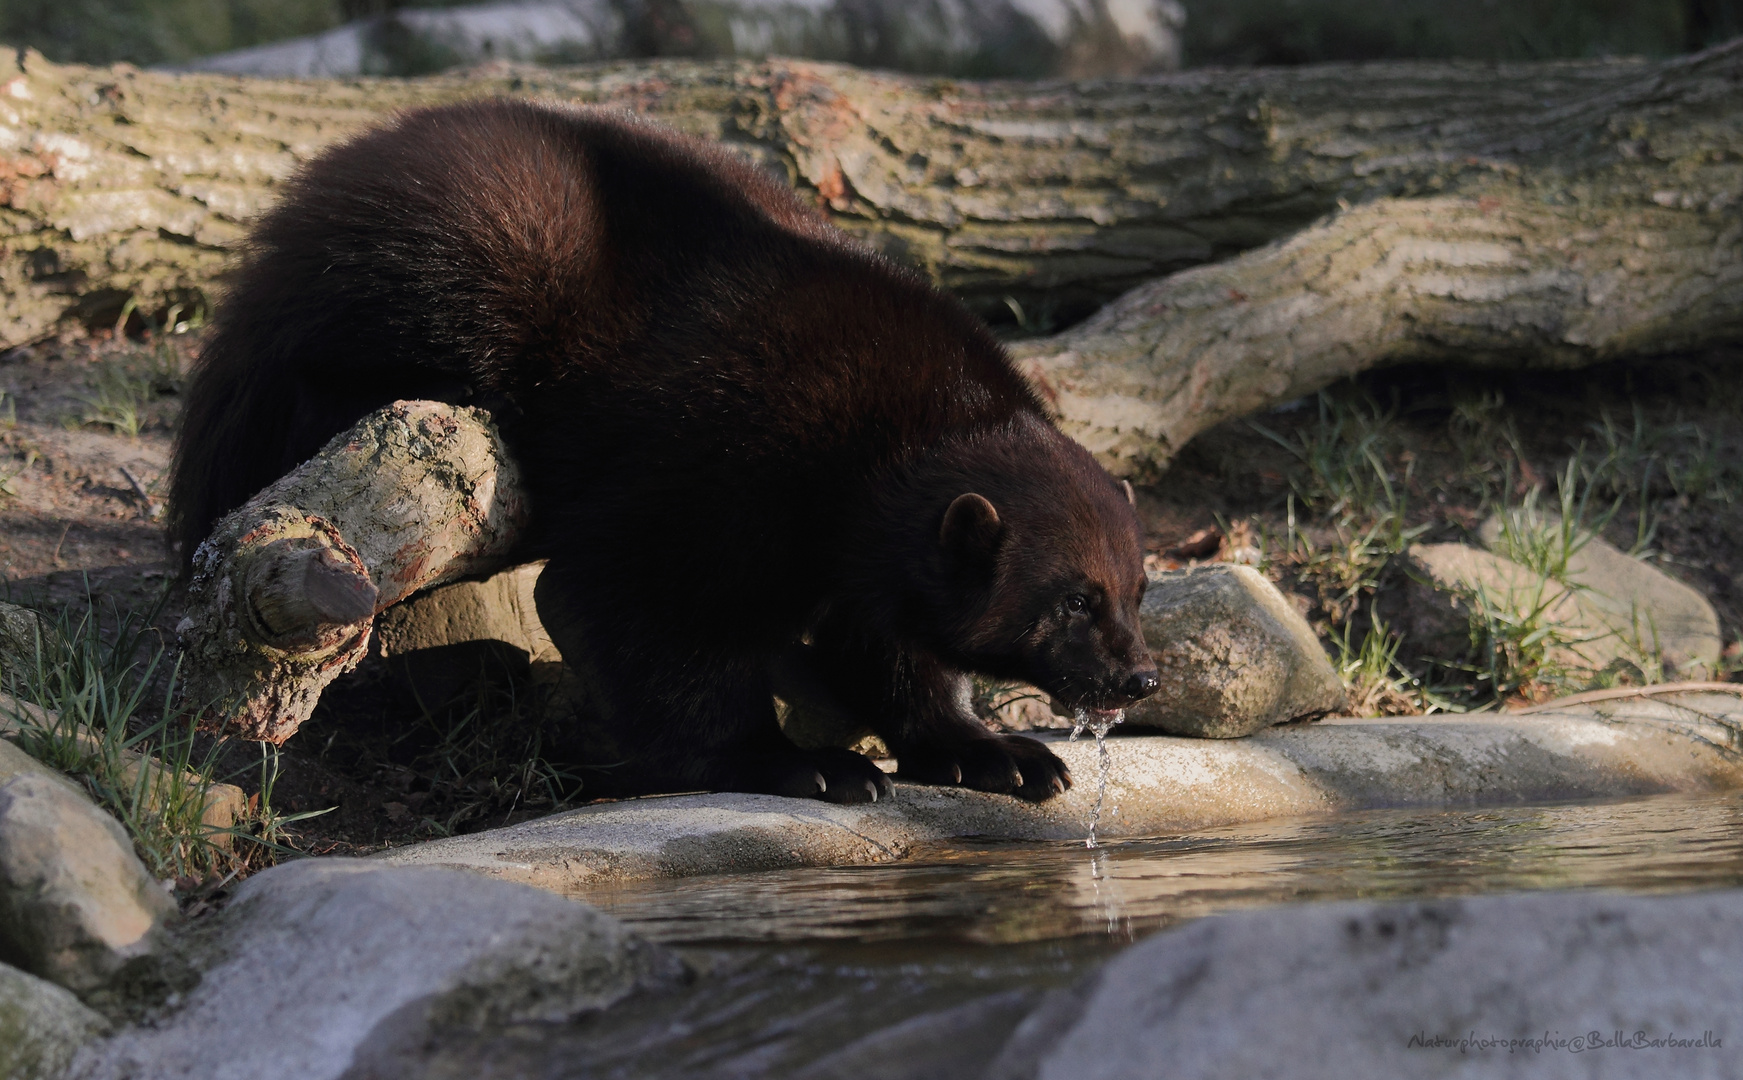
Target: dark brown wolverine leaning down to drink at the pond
[(736, 426)]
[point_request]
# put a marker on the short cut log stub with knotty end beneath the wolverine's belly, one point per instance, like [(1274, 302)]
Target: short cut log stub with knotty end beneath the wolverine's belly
[(287, 590)]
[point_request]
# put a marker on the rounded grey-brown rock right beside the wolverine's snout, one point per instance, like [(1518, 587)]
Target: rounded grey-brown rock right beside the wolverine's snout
[(1235, 658)]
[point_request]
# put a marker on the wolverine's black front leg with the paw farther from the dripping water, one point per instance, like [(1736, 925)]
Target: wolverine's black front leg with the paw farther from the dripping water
[(686, 713)]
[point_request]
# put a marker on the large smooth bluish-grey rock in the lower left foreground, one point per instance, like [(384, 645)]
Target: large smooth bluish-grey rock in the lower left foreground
[(322, 966)]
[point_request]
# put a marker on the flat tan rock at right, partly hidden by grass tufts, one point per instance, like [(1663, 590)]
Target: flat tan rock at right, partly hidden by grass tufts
[(1620, 611)]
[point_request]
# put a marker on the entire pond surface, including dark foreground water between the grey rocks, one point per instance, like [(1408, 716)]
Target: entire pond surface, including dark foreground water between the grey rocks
[(799, 964)]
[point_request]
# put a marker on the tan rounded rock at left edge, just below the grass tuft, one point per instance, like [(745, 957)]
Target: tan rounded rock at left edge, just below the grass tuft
[(76, 903)]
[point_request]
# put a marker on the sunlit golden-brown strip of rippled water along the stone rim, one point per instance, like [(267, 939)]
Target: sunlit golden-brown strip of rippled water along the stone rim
[(1008, 893)]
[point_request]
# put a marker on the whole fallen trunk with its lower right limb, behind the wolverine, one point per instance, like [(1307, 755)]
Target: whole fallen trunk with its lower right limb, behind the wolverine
[(1542, 213)]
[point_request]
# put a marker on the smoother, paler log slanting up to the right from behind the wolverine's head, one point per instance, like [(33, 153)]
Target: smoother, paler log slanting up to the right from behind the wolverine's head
[(1610, 229)]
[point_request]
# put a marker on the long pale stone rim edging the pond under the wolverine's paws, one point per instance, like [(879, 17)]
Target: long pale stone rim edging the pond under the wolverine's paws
[(1631, 746)]
